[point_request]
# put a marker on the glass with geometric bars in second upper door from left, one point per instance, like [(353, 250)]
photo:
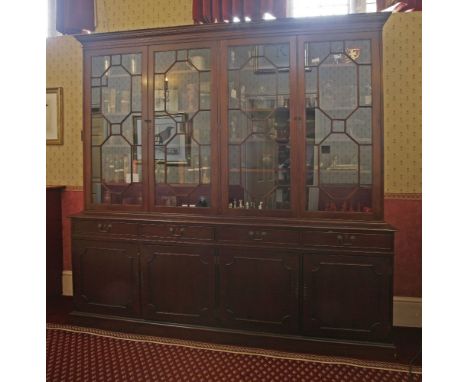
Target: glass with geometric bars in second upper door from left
[(182, 128)]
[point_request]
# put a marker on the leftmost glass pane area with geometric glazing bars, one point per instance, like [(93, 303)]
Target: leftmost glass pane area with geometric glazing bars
[(116, 136)]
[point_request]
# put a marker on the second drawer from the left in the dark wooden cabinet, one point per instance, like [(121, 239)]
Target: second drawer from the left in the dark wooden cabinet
[(177, 231)]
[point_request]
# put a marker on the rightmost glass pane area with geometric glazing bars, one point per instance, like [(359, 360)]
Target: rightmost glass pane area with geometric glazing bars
[(338, 137)]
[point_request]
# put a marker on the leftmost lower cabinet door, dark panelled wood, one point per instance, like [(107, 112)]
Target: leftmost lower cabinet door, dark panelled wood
[(106, 277)]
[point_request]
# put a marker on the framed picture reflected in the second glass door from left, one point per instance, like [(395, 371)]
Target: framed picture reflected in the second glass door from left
[(172, 139)]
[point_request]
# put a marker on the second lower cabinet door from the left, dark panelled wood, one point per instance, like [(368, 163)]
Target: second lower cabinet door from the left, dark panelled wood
[(178, 283)]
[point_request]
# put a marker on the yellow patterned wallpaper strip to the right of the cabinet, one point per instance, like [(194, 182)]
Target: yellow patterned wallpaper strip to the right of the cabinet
[(402, 97)]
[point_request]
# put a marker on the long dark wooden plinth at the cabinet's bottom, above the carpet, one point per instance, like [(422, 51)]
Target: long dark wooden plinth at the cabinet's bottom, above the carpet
[(282, 342)]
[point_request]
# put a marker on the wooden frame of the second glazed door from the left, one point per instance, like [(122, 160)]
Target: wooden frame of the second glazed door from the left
[(214, 127)]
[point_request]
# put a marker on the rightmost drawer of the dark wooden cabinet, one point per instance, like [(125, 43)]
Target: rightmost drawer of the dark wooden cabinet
[(347, 239)]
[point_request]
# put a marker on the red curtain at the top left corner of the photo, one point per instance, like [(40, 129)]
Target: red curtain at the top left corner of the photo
[(74, 16)]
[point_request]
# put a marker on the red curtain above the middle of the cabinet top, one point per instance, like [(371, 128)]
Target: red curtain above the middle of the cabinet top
[(217, 11)]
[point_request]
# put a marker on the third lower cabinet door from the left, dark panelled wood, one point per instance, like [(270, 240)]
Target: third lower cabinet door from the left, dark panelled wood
[(258, 290)]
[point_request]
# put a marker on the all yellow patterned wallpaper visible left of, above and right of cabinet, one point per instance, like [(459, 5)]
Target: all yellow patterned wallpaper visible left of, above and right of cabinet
[(402, 87)]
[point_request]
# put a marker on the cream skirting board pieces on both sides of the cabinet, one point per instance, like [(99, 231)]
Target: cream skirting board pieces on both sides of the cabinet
[(407, 311)]
